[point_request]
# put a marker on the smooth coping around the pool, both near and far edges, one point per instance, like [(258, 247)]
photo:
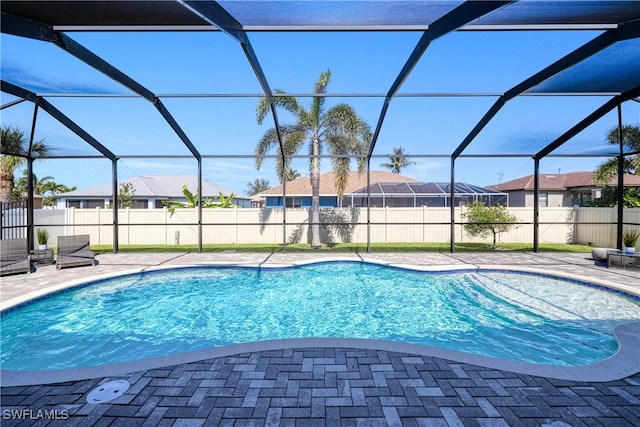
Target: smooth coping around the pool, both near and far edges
[(623, 363)]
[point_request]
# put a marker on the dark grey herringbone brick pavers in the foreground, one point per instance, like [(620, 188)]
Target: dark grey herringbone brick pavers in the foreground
[(332, 387)]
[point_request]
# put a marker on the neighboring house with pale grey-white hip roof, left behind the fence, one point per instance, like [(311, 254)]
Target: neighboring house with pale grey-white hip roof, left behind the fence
[(150, 192)]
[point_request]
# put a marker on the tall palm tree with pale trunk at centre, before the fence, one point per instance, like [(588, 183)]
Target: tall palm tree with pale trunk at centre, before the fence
[(337, 129)]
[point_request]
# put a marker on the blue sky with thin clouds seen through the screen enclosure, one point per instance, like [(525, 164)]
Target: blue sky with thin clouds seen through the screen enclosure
[(361, 63)]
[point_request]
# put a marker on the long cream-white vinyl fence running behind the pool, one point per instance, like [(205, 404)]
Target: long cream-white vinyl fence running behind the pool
[(159, 226)]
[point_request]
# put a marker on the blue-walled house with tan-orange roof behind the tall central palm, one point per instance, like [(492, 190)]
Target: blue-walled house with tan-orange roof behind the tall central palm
[(299, 190)]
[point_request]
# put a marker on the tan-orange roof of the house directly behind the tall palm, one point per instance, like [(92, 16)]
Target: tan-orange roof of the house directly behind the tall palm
[(356, 181)]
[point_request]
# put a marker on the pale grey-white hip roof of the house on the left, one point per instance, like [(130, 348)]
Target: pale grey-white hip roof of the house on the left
[(158, 186)]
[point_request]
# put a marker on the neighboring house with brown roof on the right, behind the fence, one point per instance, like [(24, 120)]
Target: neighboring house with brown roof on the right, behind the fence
[(560, 189)]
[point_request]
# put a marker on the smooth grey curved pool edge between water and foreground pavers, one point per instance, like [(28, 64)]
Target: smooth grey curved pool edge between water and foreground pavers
[(625, 362)]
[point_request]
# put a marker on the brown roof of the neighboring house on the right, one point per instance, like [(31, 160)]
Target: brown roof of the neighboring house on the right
[(562, 181)]
